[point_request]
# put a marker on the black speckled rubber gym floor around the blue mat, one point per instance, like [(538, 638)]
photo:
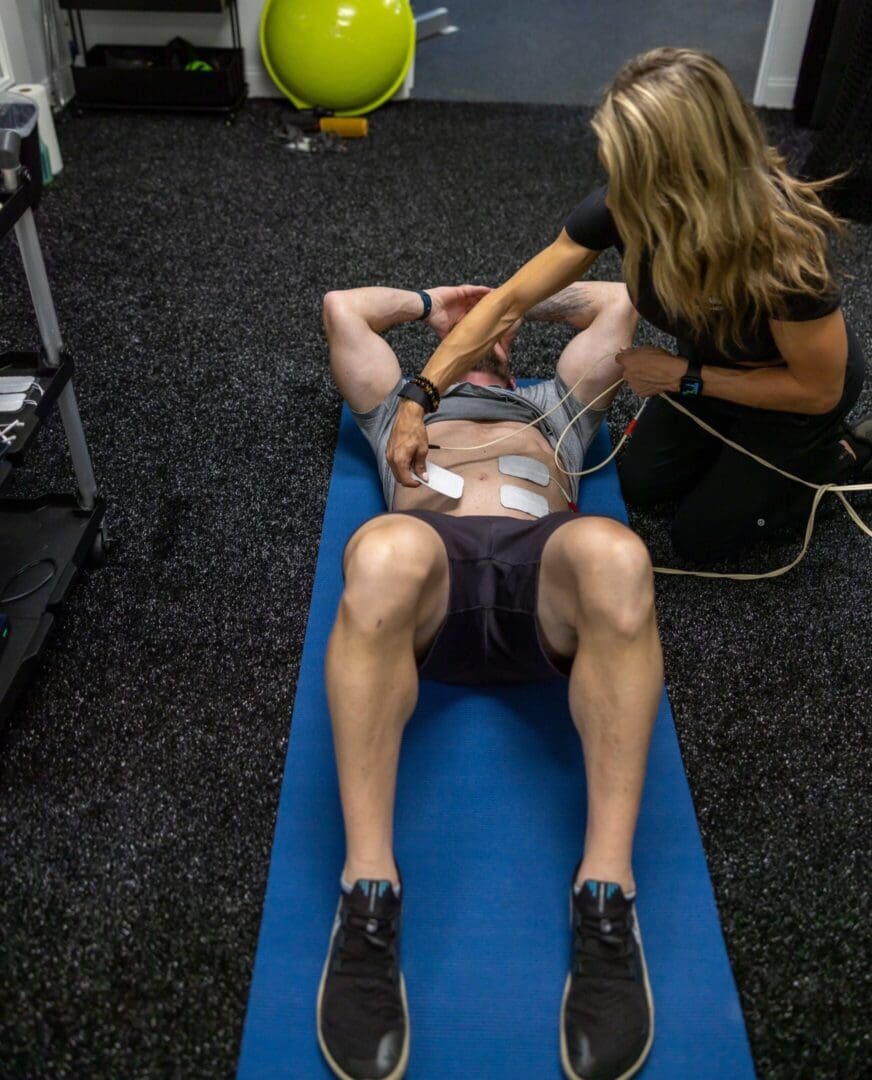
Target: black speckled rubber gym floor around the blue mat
[(139, 781)]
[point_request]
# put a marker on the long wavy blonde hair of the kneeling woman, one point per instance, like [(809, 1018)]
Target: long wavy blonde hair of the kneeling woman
[(694, 186)]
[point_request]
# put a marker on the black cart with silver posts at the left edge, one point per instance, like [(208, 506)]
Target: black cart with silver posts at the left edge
[(46, 543)]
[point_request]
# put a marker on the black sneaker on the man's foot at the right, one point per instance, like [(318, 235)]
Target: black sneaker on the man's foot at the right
[(607, 1020)]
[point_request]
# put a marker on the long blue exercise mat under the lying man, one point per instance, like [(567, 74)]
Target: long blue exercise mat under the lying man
[(489, 830)]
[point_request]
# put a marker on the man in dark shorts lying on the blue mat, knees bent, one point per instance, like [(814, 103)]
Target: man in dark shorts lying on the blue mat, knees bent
[(488, 577)]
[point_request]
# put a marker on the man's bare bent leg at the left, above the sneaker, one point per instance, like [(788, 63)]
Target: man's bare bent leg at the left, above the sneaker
[(395, 600)]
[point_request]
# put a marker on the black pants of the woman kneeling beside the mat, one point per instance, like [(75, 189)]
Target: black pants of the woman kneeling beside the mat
[(727, 501)]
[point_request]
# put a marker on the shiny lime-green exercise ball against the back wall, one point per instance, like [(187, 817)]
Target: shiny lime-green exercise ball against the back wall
[(346, 56)]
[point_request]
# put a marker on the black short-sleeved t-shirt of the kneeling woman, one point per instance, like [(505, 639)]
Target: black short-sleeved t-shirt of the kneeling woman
[(593, 226)]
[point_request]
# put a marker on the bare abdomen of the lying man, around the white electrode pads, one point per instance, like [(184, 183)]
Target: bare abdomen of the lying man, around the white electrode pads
[(480, 469)]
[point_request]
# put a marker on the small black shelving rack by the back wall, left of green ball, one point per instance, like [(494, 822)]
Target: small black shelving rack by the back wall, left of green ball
[(139, 77)]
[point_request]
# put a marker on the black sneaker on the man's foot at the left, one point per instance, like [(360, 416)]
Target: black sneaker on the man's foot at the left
[(363, 1010)]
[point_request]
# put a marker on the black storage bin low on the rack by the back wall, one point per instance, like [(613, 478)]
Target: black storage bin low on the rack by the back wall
[(157, 86)]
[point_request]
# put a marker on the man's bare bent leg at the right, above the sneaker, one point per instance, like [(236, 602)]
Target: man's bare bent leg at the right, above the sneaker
[(597, 604)]
